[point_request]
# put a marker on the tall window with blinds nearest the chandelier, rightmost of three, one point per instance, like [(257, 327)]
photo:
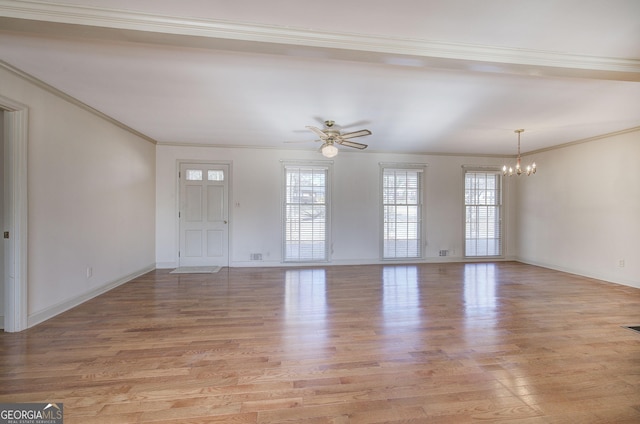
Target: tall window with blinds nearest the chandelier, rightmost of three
[(483, 213)]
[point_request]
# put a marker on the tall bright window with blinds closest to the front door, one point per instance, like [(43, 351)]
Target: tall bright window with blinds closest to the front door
[(306, 213)]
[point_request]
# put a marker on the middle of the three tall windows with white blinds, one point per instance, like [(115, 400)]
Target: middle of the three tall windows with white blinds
[(401, 213)]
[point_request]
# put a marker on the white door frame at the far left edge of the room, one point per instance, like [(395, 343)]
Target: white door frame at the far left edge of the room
[(16, 123)]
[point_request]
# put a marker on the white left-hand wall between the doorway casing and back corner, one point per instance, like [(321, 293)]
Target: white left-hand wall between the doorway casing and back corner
[(91, 195)]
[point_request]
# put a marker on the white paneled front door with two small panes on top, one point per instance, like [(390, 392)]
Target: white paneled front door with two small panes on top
[(204, 214)]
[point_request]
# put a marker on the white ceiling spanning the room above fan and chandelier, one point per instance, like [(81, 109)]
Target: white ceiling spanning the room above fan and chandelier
[(425, 76)]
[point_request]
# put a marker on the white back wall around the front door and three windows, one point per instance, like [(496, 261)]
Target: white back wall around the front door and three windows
[(256, 186)]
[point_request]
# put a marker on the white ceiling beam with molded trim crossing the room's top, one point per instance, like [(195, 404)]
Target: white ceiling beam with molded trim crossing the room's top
[(136, 26)]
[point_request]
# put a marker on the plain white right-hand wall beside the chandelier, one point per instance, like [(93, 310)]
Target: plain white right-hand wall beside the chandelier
[(581, 211)]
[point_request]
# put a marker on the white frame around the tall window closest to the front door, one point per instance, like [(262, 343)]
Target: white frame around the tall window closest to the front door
[(327, 167)]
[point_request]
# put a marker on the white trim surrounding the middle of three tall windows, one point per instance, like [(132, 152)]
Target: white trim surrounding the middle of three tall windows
[(422, 168)]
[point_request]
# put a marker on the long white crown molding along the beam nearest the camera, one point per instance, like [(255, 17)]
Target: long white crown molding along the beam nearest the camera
[(507, 59)]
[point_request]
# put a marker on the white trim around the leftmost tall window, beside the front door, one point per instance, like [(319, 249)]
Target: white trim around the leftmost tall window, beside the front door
[(328, 165)]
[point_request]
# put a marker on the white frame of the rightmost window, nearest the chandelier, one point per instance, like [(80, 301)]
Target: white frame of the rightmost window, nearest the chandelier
[(499, 207)]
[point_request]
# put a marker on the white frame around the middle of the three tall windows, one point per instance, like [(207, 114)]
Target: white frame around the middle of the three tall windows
[(420, 170)]
